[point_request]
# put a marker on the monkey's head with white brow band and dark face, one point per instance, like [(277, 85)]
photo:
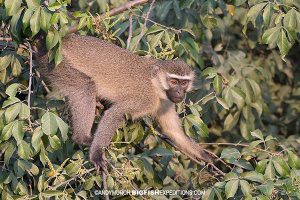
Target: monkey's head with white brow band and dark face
[(175, 78)]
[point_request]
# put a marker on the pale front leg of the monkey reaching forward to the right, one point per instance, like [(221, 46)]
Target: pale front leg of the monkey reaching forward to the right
[(170, 124)]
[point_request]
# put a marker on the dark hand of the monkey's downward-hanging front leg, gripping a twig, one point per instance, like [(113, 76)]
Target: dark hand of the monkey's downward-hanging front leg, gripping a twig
[(97, 157)]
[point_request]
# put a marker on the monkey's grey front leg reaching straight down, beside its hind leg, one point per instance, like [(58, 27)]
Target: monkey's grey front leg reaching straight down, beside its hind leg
[(111, 120)]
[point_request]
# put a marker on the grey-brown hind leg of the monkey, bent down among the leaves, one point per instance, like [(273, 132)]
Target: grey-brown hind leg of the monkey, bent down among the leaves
[(82, 102)]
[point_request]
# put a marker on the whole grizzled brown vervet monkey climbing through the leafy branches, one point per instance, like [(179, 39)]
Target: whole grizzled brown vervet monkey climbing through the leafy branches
[(94, 69)]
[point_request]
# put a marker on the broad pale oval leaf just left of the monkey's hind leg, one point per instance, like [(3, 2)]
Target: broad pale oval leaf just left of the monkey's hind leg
[(49, 123)]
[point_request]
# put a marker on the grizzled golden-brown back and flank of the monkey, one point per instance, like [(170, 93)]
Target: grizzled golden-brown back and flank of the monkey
[(114, 70)]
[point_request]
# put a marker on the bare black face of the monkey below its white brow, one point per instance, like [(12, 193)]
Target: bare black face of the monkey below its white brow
[(177, 90)]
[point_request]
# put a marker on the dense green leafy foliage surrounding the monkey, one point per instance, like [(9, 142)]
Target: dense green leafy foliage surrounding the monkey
[(244, 109)]
